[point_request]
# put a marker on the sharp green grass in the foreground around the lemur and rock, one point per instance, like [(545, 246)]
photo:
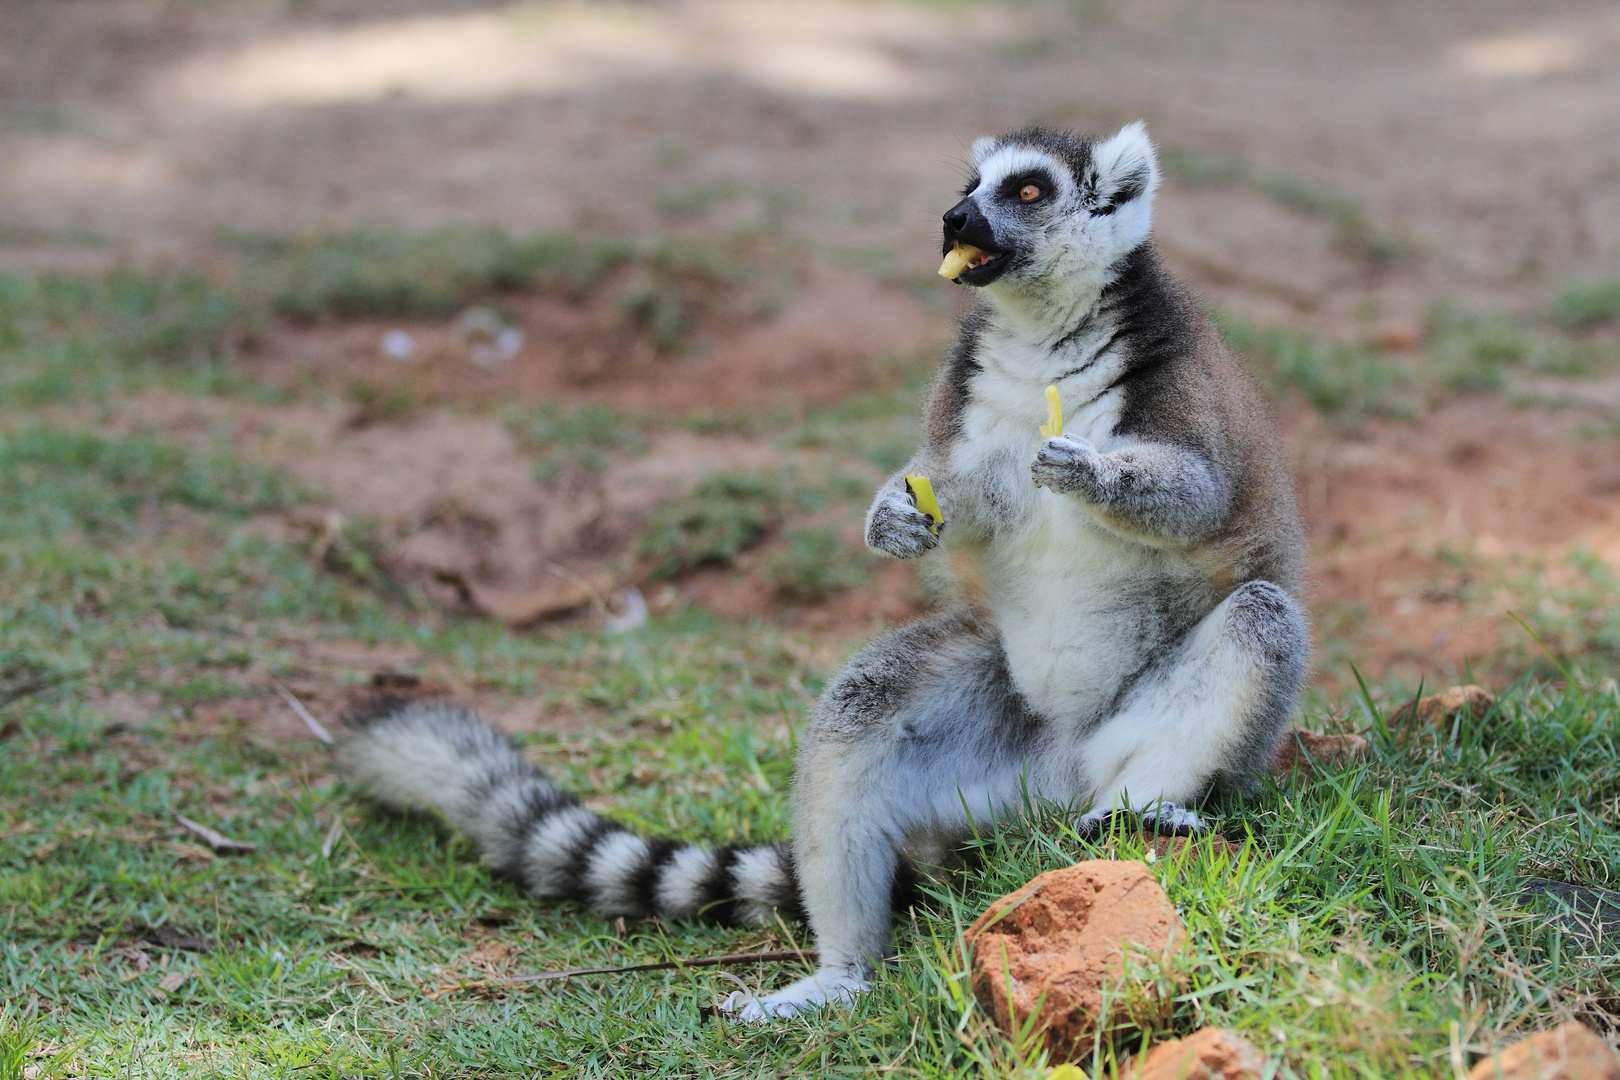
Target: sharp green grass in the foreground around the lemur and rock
[(1371, 912)]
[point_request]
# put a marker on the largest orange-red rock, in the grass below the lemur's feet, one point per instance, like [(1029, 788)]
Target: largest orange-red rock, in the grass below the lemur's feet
[(1062, 940)]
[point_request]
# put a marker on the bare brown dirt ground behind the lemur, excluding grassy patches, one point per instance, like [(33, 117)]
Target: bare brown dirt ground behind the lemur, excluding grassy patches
[(1485, 137)]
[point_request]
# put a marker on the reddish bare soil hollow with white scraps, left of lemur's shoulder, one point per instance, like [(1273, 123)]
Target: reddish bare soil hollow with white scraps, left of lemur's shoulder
[(833, 336)]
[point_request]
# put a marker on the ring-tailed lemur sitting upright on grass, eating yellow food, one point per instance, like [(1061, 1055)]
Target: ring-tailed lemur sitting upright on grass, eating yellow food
[(1130, 632)]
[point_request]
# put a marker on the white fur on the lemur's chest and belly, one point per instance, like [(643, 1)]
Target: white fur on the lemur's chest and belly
[(1081, 610)]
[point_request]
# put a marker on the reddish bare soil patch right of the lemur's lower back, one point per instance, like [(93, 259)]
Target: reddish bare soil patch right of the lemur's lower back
[(1430, 534)]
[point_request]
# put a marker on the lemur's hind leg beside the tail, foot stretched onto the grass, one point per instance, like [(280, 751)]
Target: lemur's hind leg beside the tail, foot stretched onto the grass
[(919, 734)]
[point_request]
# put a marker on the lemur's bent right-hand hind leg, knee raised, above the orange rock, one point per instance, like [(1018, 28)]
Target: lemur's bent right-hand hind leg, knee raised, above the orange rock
[(1209, 720)]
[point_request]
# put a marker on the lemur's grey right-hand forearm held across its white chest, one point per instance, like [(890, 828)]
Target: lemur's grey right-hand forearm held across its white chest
[(1151, 491)]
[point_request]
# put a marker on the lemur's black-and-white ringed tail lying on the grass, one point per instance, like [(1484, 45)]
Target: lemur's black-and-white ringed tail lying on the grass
[(432, 755)]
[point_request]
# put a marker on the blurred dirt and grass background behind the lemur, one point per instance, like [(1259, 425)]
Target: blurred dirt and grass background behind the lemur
[(500, 312)]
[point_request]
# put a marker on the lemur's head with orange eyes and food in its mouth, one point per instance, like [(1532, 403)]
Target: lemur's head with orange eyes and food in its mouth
[(1047, 208)]
